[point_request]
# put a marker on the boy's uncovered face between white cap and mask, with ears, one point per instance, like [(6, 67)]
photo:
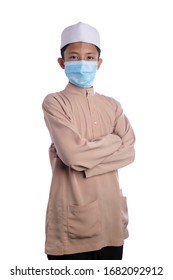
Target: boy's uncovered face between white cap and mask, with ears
[(80, 51)]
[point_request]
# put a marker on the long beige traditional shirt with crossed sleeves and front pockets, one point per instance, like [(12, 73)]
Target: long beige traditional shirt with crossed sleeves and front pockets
[(91, 139)]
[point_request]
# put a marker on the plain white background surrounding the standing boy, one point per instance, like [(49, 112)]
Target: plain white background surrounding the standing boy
[(137, 70)]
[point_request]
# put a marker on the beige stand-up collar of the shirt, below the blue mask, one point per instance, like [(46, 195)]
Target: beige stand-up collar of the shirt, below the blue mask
[(72, 89)]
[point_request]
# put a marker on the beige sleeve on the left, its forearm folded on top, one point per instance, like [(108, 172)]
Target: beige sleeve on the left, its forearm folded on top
[(71, 148)]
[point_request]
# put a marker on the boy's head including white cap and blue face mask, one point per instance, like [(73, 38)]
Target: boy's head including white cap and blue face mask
[(80, 53)]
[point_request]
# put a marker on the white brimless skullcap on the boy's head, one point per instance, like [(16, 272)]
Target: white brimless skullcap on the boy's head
[(80, 32)]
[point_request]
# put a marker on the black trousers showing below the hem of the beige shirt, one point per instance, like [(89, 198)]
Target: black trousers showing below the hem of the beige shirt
[(106, 253)]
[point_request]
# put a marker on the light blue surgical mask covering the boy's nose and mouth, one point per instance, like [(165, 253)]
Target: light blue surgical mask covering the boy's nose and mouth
[(81, 73)]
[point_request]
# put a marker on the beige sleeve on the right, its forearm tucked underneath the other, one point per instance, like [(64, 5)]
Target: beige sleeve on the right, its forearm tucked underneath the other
[(125, 154)]
